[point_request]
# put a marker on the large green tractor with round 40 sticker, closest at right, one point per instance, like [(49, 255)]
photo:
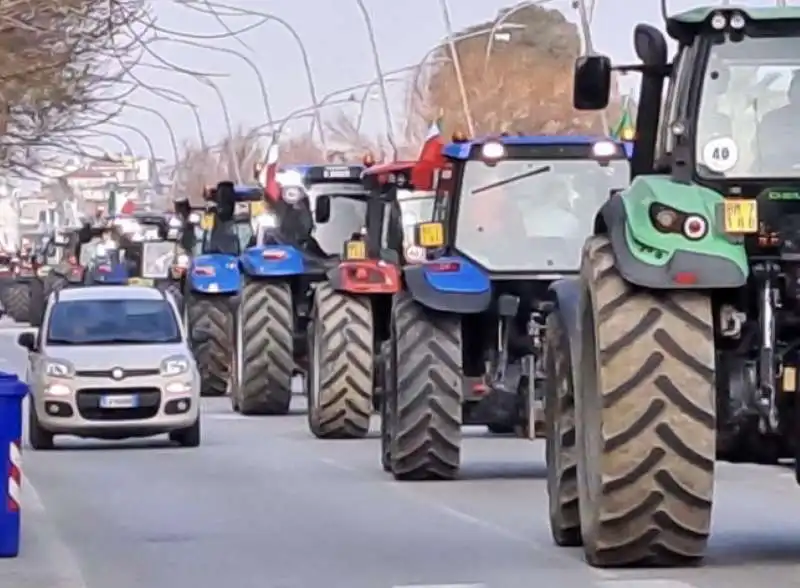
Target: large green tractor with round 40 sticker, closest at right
[(679, 343)]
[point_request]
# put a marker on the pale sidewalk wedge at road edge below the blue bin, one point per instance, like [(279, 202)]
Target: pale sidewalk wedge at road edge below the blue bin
[(44, 560)]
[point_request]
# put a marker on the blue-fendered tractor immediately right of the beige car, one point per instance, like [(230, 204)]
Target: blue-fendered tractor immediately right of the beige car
[(213, 279)]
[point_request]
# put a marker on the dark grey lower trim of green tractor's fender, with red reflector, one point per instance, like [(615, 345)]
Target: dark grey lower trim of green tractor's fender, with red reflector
[(707, 271)]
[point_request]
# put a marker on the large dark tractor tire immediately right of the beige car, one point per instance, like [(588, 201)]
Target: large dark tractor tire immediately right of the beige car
[(214, 357)]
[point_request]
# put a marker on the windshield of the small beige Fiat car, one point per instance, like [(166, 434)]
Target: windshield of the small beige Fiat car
[(98, 322)]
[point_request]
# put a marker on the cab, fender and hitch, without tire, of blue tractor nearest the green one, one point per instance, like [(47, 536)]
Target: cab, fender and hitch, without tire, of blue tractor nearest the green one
[(510, 217)]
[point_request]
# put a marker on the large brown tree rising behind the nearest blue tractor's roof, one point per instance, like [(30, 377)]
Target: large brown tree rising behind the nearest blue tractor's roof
[(525, 86)]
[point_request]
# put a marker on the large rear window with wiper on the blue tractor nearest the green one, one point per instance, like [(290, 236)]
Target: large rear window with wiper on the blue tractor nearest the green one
[(532, 215)]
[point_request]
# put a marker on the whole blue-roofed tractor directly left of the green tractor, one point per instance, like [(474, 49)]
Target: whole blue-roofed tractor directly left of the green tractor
[(466, 331)]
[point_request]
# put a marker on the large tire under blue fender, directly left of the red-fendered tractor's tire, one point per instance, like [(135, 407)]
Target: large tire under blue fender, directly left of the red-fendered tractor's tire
[(264, 348)]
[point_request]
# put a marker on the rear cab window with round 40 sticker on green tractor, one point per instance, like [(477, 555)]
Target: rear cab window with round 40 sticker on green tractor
[(749, 114)]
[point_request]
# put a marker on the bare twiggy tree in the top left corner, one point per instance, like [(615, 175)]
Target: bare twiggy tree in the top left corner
[(60, 61)]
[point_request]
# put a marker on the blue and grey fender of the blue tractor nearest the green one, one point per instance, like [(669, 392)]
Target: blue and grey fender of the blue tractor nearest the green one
[(465, 290)]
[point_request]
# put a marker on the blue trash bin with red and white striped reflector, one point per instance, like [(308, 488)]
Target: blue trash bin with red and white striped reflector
[(12, 392)]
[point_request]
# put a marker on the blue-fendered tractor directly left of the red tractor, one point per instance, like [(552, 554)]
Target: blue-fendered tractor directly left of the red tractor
[(299, 239)]
